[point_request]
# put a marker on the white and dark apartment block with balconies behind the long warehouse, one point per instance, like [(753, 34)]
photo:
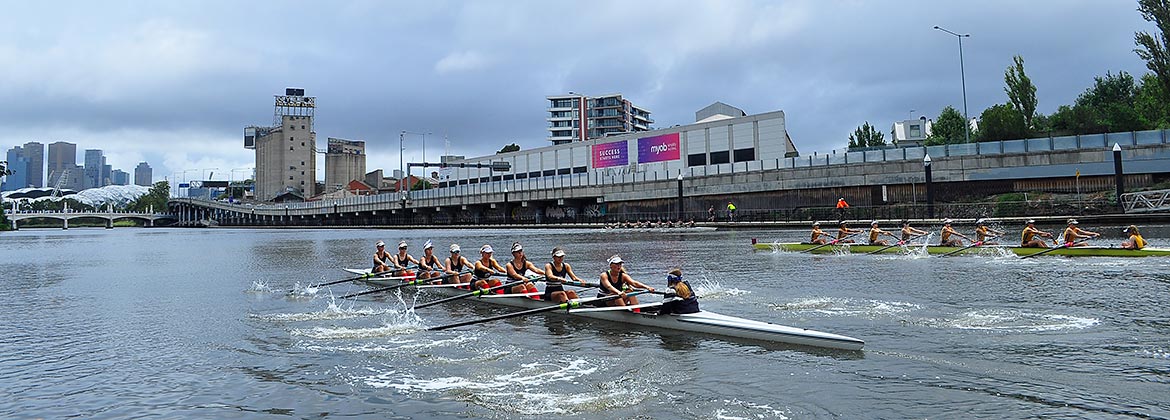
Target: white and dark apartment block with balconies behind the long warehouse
[(579, 118)]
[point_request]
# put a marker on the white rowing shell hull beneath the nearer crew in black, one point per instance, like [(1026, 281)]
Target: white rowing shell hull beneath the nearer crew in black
[(703, 322)]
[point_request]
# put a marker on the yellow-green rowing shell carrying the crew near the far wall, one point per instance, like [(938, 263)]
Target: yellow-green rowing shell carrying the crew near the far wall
[(857, 249)]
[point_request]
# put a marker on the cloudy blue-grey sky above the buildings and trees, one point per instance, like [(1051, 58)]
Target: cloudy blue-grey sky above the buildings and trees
[(175, 82)]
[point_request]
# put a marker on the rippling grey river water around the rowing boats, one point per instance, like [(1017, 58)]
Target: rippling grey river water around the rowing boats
[(199, 323)]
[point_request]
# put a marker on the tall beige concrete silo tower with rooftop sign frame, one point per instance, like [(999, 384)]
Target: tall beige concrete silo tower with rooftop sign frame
[(286, 152)]
